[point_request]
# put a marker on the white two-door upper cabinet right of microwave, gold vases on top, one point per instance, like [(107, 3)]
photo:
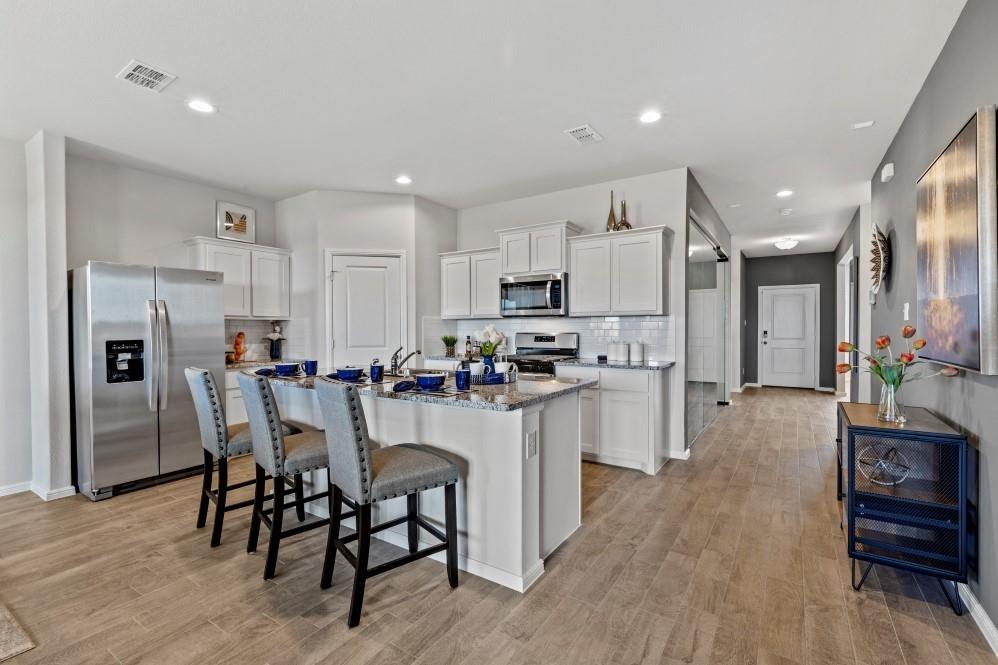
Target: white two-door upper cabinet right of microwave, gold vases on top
[(619, 273)]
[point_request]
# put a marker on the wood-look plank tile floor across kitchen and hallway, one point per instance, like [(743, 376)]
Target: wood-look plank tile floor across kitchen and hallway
[(732, 557)]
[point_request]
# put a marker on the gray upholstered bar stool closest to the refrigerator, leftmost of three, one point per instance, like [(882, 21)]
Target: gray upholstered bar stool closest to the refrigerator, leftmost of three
[(220, 442)]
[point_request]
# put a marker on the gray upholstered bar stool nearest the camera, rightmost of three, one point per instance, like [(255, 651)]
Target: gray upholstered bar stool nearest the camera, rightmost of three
[(368, 475)]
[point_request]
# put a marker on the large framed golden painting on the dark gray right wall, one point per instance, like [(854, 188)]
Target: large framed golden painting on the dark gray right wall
[(957, 250)]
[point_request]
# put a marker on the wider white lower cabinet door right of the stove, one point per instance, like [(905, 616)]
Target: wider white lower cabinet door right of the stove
[(623, 425)]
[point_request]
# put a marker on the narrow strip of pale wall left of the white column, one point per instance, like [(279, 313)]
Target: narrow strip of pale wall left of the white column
[(15, 404)]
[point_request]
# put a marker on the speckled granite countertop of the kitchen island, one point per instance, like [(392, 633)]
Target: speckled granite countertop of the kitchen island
[(504, 397)]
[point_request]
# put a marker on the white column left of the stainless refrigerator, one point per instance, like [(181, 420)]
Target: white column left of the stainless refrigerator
[(48, 316)]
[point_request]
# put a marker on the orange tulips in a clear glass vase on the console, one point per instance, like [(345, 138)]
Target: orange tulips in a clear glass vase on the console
[(891, 371)]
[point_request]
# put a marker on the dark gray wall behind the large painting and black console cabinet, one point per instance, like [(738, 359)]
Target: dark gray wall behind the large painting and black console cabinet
[(963, 78)]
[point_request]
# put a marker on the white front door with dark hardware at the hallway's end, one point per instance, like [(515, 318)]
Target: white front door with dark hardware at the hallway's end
[(787, 335)]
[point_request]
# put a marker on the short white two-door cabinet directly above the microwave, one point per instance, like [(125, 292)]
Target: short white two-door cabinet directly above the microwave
[(538, 248)]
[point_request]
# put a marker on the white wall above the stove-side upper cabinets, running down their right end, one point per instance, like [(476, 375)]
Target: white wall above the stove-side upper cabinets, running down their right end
[(652, 200)]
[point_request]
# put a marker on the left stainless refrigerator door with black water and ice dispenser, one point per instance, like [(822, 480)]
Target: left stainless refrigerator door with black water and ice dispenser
[(121, 320)]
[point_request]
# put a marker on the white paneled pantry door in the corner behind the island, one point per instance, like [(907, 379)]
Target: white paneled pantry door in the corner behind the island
[(367, 309)]
